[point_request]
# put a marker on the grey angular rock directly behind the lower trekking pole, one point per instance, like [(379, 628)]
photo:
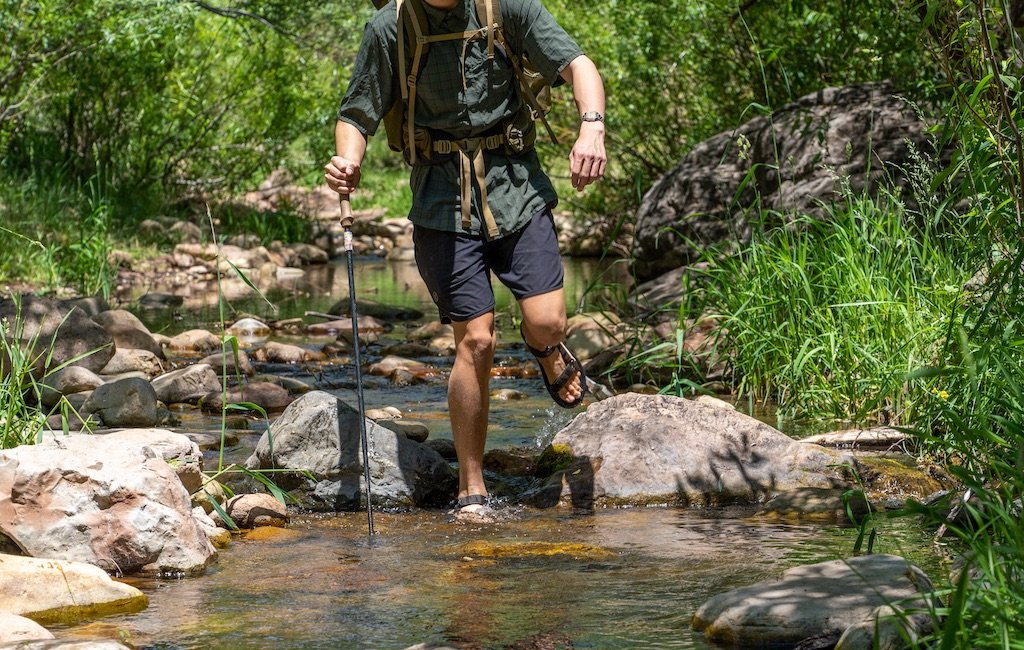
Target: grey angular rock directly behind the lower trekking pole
[(321, 434)]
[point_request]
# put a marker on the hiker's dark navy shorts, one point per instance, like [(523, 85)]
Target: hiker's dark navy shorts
[(457, 268)]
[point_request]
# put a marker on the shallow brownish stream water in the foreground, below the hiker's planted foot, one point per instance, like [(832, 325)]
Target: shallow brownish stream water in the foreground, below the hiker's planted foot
[(619, 579)]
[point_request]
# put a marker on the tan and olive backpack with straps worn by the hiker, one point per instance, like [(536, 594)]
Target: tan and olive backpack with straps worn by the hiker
[(414, 41)]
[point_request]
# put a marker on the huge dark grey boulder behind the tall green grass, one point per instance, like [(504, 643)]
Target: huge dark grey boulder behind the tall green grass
[(796, 158)]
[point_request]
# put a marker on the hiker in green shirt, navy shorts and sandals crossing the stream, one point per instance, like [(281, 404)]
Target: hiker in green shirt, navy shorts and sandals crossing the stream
[(482, 204)]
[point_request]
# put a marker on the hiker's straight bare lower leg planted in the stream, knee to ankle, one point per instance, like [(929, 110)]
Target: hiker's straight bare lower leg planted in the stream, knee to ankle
[(470, 399)]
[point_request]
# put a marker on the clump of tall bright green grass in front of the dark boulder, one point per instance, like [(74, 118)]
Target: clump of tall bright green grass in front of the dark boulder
[(829, 317)]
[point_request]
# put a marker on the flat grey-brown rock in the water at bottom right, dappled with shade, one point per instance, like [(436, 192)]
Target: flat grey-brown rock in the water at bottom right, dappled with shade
[(818, 600)]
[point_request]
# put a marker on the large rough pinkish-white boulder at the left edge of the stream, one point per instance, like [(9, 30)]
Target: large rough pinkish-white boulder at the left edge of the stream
[(108, 500)]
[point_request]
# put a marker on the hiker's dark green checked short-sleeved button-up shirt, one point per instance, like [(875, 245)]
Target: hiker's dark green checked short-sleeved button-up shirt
[(463, 95)]
